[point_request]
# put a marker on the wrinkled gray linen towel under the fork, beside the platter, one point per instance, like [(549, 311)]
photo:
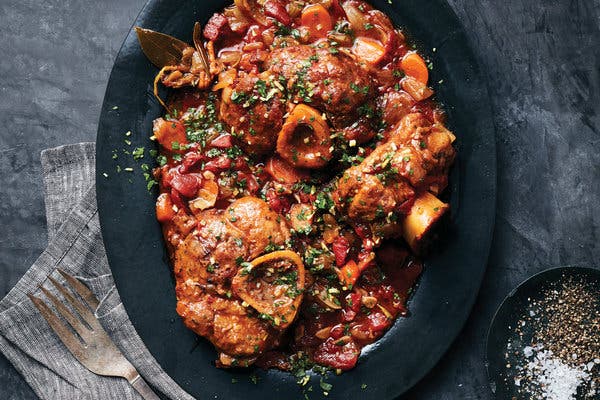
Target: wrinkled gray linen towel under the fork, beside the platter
[(75, 245)]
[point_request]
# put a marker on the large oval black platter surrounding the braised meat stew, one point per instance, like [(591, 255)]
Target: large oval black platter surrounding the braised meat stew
[(449, 284)]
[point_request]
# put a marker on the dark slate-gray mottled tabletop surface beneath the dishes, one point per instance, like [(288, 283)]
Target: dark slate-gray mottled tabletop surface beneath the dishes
[(542, 62)]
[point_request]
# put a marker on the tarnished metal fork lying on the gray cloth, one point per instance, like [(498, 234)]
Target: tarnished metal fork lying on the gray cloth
[(91, 345)]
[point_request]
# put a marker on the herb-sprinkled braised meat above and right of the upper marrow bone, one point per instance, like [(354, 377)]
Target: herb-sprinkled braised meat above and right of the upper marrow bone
[(333, 82)]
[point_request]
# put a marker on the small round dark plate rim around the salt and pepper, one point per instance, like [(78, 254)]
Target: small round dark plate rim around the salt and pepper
[(501, 378)]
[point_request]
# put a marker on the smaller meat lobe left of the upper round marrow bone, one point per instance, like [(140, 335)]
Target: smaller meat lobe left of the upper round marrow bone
[(254, 107)]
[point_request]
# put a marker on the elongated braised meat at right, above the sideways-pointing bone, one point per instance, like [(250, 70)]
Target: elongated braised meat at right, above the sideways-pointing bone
[(384, 184)]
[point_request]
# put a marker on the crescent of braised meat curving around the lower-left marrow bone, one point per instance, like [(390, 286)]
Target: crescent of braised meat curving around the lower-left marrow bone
[(205, 263)]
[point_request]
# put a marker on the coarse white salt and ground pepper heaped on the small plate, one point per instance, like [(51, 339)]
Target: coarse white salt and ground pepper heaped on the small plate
[(556, 352)]
